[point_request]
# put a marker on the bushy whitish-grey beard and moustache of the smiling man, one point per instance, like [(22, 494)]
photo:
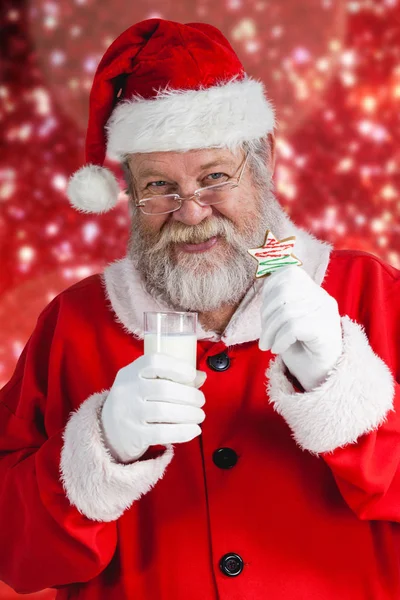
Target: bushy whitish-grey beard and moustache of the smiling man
[(207, 281)]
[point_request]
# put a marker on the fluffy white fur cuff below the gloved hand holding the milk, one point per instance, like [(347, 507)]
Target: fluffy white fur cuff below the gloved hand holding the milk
[(95, 484)]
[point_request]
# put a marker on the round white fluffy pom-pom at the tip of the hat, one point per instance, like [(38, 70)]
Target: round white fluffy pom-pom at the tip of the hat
[(93, 189)]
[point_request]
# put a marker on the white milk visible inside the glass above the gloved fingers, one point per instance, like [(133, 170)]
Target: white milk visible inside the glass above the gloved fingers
[(182, 346)]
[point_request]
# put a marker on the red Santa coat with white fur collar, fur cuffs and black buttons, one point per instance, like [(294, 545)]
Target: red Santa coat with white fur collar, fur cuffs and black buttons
[(310, 503)]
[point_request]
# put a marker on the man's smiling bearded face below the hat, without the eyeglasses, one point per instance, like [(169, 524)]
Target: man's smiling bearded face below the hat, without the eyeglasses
[(196, 257)]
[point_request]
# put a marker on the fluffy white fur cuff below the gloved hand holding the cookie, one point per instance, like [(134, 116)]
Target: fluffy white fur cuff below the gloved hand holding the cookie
[(353, 400)]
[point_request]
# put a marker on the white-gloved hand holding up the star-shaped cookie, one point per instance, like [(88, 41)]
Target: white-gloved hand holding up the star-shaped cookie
[(301, 322)]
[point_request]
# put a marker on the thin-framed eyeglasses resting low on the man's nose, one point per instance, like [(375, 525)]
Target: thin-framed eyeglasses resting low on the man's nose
[(205, 196)]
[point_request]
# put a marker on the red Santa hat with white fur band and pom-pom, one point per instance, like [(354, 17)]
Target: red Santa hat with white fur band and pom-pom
[(165, 86)]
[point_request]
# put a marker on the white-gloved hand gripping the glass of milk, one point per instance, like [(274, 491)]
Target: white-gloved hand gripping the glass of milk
[(141, 410)]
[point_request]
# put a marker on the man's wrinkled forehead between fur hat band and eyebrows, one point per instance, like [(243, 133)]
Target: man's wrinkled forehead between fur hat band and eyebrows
[(190, 162)]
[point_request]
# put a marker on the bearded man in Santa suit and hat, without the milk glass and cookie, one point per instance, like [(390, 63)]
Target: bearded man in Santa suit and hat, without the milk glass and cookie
[(271, 470)]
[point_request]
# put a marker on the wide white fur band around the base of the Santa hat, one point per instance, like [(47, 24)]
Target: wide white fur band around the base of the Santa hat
[(177, 120)]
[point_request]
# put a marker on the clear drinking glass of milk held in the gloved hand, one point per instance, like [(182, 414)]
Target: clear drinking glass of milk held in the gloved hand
[(172, 333)]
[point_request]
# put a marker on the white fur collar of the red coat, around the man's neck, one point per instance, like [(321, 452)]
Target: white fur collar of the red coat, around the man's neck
[(129, 299)]
